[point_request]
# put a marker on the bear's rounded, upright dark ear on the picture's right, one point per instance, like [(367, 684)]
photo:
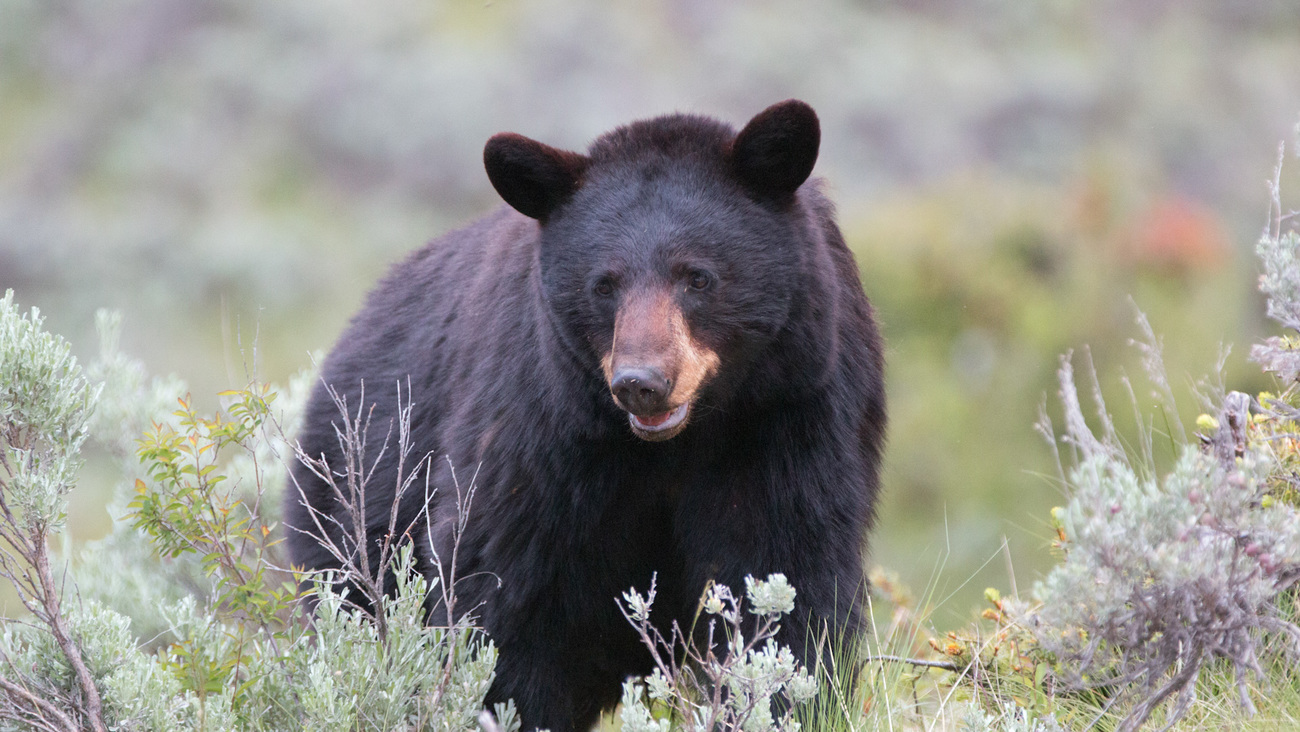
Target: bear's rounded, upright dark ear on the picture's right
[(777, 150)]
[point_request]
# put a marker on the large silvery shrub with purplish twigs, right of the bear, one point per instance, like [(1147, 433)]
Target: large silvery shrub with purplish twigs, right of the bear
[(1164, 575)]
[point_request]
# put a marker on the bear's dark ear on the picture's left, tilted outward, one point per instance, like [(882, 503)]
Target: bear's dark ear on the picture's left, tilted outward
[(532, 177)]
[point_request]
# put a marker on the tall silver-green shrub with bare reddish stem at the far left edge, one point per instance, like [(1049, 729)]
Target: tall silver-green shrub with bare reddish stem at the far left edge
[(45, 406)]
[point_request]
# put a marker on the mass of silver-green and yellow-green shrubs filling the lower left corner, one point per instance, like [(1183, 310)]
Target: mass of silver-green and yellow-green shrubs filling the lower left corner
[(187, 618)]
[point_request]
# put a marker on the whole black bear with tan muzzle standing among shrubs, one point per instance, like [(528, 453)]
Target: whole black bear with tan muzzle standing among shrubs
[(658, 359)]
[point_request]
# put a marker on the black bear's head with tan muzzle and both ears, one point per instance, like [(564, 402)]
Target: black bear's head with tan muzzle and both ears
[(671, 253)]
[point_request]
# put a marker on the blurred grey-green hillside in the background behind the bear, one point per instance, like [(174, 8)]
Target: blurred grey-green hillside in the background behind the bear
[(233, 176)]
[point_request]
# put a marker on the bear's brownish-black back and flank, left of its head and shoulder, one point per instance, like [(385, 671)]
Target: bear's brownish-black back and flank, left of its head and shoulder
[(443, 327)]
